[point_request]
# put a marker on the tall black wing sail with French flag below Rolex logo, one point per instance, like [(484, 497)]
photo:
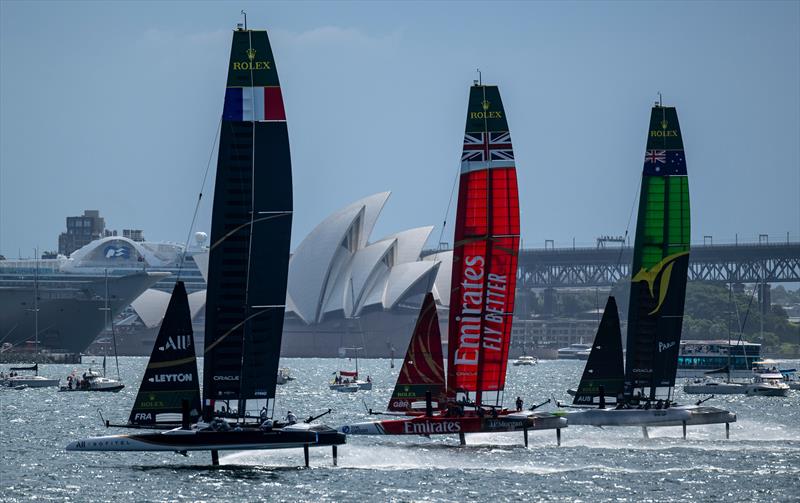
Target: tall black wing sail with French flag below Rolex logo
[(250, 230)]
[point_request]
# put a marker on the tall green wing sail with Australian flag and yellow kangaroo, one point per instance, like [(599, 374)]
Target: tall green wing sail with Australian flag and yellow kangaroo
[(660, 261)]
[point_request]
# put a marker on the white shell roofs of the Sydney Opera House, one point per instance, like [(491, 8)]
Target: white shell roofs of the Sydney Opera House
[(337, 270)]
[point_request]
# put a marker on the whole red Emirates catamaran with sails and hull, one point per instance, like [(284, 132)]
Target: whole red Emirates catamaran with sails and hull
[(481, 302)]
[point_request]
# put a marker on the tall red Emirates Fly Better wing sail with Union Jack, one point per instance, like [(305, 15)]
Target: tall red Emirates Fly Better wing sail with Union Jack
[(485, 254)]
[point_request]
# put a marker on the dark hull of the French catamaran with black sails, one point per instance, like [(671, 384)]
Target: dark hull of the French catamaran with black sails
[(197, 440)]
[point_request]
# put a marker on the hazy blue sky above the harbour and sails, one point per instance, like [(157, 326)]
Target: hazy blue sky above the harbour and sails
[(114, 106)]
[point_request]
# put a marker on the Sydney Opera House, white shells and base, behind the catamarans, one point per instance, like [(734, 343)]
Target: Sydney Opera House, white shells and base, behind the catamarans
[(347, 290)]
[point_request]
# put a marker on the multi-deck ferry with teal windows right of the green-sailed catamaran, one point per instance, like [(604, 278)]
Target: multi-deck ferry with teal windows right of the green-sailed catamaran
[(696, 358)]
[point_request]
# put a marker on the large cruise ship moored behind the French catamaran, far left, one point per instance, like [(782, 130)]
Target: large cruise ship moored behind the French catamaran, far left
[(66, 297)]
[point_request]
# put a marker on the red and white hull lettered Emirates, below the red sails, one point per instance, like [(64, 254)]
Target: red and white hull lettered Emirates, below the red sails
[(443, 425)]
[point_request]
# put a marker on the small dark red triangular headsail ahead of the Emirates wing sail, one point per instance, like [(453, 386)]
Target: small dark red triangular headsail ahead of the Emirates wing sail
[(423, 367)]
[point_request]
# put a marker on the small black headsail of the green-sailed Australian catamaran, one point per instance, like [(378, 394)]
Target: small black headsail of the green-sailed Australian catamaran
[(604, 368)]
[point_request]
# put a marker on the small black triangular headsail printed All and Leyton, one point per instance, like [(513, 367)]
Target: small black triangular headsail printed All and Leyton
[(171, 374)]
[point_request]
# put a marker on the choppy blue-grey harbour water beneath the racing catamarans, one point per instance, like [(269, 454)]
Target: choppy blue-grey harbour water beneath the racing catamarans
[(761, 461)]
